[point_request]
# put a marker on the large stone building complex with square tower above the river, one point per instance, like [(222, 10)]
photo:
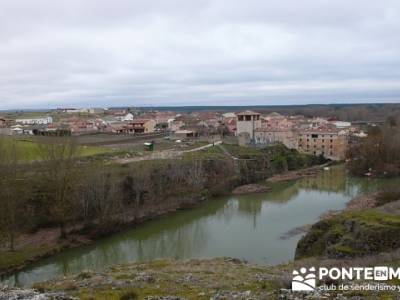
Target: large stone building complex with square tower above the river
[(315, 136)]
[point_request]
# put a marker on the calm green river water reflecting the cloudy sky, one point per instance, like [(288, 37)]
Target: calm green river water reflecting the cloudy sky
[(248, 227)]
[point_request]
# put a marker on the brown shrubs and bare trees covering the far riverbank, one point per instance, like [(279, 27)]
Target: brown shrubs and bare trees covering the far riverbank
[(64, 200)]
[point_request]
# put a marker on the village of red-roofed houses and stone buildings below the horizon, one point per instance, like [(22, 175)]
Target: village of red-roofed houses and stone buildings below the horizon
[(327, 137)]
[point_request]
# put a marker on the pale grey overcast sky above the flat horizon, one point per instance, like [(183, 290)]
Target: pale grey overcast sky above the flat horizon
[(202, 52)]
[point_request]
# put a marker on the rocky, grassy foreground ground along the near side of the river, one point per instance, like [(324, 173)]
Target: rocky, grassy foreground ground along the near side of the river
[(211, 279)]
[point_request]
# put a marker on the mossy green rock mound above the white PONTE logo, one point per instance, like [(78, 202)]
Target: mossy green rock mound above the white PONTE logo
[(351, 234)]
